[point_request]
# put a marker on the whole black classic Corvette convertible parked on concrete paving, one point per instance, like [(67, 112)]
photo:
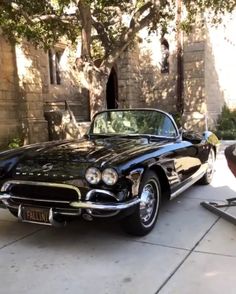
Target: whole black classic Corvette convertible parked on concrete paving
[(124, 167)]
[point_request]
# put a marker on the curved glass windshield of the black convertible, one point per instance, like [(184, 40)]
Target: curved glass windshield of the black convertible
[(126, 122)]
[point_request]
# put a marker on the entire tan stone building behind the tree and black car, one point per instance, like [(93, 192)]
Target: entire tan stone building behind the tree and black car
[(189, 74)]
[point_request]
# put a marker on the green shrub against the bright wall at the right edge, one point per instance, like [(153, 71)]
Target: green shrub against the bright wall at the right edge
[(226, 124)]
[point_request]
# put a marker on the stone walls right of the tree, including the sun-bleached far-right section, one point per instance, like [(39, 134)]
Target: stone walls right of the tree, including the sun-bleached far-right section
[(209, 68)]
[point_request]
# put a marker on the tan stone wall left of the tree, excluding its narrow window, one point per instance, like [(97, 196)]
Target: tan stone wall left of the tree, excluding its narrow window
[(26, 92)]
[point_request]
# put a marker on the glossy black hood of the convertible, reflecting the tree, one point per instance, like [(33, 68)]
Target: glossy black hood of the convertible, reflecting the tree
[(70, 159)]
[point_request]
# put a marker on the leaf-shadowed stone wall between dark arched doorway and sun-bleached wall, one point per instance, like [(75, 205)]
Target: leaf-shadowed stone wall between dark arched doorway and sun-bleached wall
[(142, 84)]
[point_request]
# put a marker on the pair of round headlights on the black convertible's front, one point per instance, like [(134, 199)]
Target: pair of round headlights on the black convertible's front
[(109, 176)]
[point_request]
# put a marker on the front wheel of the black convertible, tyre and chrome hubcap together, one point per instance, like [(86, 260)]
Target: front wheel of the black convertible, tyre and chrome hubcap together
[(143, 219)]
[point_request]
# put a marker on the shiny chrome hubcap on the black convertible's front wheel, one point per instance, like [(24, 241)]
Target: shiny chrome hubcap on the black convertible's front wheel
[(149, 202)]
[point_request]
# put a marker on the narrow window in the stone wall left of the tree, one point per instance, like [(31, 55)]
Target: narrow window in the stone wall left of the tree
[(54, 57)]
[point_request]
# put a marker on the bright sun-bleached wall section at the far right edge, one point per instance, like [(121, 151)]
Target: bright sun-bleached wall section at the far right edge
[(220, 66)]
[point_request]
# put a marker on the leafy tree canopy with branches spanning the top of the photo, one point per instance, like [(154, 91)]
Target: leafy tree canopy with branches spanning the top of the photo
[(105, 26)]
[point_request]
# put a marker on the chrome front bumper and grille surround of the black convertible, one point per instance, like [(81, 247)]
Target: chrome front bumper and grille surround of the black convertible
[(107, 204)]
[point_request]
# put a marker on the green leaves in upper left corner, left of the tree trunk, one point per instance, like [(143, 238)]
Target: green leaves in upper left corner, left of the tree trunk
[(37, 21)]
